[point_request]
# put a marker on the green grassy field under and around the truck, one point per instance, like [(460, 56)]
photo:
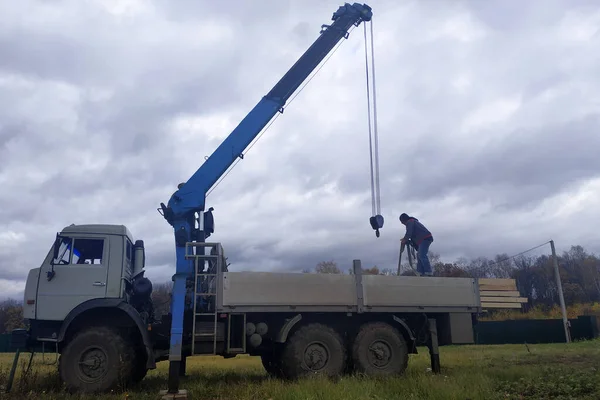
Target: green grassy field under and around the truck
[(557, 371)]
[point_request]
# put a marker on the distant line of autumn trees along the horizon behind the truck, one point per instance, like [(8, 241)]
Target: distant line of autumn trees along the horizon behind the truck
[(534, 275)]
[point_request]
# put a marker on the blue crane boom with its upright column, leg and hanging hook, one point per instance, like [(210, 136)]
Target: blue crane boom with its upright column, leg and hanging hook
[(190, 198)]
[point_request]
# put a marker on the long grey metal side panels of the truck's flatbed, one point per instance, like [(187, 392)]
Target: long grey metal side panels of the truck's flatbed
[(303, 292)]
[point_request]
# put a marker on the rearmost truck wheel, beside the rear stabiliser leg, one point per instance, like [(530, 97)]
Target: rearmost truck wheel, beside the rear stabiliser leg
[(379, 350)]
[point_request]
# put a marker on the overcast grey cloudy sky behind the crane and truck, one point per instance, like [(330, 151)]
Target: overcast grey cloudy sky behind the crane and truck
[(488, 116)]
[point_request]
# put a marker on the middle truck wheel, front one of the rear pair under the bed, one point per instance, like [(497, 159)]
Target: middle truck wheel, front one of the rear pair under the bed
[(314, 349)]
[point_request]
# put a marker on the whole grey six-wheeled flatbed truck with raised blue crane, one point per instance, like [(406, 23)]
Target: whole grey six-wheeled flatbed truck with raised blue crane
[(91, 302)]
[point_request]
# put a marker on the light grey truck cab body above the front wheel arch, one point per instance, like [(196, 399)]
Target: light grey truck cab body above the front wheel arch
[(86, 262)]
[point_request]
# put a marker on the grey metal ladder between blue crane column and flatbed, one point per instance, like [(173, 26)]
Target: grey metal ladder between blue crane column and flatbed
[(203, 276)]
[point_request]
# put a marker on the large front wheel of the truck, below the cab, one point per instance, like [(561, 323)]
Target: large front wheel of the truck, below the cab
[(96, 360)]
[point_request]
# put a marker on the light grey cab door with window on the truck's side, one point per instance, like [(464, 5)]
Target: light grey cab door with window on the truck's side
[(76, 273)]
